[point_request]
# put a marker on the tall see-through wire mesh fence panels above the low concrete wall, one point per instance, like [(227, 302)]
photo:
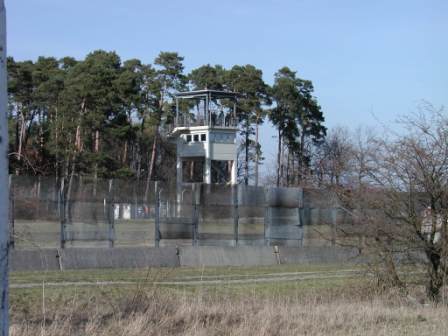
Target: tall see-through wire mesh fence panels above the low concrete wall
[(84, 211)]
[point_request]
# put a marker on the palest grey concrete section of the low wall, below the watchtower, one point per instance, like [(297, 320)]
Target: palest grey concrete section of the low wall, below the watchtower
[(227, 256)]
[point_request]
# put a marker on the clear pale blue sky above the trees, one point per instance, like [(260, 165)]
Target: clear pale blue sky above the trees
[(368, 60)]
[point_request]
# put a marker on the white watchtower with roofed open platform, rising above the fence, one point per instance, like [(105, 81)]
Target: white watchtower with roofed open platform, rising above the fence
[(205, 133)]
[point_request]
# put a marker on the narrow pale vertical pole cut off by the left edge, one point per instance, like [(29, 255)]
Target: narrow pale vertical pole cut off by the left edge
[(4, 179)]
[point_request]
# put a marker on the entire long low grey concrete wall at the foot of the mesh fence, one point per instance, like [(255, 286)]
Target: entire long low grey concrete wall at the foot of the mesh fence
[(140, 257)]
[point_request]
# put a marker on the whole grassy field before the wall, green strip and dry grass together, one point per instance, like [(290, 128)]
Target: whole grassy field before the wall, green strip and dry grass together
[(274, 300)]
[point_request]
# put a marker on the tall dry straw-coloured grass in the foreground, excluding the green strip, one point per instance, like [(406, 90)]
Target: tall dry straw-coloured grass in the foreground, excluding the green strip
[(152, 311)]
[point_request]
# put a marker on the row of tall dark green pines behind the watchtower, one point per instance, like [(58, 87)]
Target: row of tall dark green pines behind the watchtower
[(105, 117)]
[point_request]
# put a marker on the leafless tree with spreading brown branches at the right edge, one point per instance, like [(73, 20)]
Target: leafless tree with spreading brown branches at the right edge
[(399, 203)]
